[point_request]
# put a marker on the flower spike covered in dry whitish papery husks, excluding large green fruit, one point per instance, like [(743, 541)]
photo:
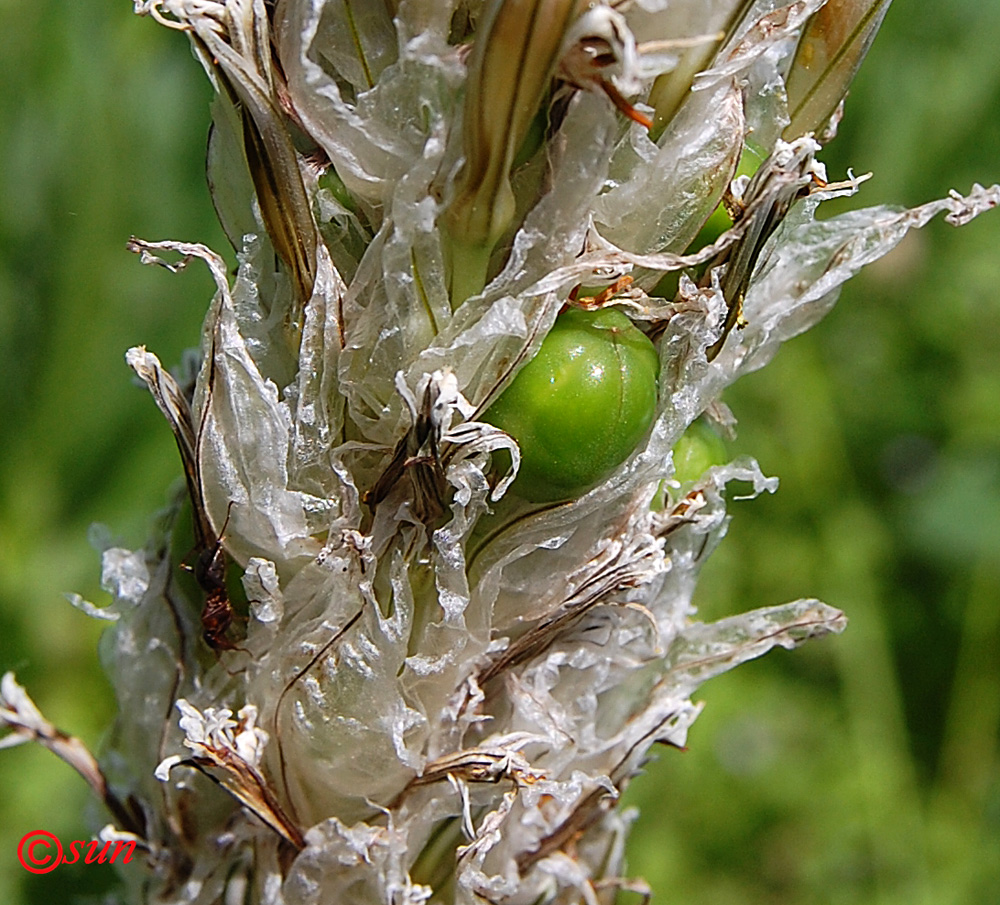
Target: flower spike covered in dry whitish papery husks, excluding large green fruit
[(428, 688)]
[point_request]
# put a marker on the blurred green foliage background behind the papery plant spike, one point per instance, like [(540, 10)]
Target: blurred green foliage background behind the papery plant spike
[(862, 769)]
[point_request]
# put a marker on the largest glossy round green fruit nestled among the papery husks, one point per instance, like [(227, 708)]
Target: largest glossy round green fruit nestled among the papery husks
[(581, 406)]
